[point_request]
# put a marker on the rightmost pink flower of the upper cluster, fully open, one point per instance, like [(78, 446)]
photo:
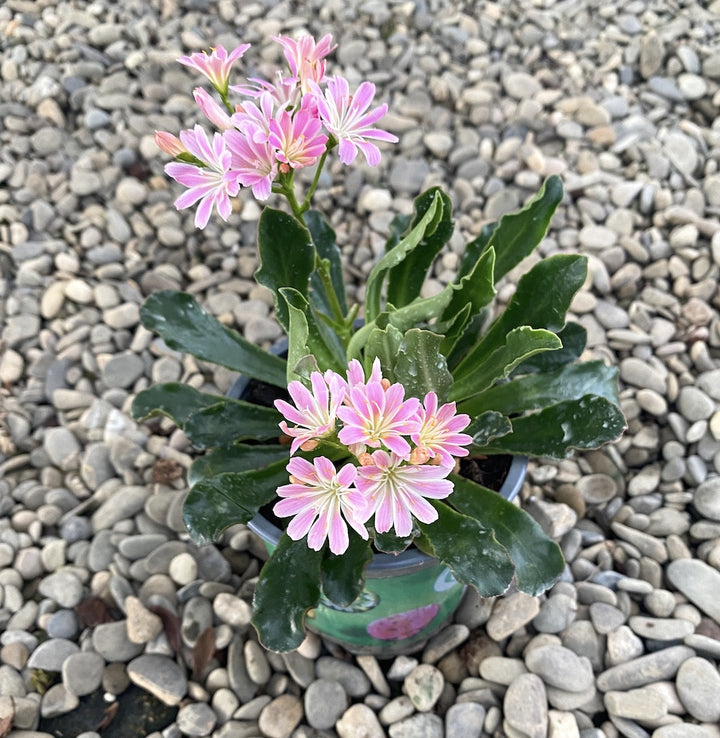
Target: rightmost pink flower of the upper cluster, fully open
[(346, 116)]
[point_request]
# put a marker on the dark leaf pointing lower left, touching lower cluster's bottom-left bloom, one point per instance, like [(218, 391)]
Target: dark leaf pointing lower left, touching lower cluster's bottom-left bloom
[(233, 497)]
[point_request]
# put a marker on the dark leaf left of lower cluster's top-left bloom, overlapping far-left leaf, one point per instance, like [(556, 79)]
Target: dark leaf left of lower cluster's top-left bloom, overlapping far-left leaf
[(232, 420)]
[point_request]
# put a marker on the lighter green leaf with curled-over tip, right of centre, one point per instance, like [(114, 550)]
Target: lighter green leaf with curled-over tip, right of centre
[(520, 343)]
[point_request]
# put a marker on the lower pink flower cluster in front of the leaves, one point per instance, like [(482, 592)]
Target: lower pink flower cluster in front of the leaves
[(400, 452)]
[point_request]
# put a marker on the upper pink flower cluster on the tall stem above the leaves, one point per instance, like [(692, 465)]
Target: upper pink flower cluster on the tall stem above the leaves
[(278, 128)]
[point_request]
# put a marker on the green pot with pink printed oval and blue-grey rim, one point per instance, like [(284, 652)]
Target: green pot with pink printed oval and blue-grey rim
[(407, 598)]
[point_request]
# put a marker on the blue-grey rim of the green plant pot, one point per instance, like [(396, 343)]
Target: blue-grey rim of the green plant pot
[(384, 565)]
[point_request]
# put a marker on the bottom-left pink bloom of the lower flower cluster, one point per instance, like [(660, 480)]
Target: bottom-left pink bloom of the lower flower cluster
[(322, 501)]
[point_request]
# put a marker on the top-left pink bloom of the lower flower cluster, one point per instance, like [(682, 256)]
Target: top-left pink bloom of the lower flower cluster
[(314, 413)]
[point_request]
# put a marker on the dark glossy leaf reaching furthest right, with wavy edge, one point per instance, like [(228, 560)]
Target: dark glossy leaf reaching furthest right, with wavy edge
[(589, 422)]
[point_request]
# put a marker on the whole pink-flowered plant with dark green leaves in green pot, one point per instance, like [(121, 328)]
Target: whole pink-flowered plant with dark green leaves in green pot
[(356, 449)]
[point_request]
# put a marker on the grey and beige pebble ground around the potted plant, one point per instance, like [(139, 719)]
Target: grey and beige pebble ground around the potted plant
[(110, 616)]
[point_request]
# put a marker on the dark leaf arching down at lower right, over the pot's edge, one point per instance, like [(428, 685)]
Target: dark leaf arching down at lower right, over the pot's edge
[(537, 559)]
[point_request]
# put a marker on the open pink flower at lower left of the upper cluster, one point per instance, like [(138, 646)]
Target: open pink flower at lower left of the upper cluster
[(212, 184)]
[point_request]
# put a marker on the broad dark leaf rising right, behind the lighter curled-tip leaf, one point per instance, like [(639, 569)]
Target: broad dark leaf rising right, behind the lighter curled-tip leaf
[(541, 300)]
